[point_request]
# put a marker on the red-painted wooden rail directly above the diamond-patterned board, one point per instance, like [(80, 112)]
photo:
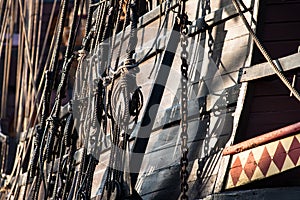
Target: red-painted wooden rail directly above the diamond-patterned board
[(262, 139)]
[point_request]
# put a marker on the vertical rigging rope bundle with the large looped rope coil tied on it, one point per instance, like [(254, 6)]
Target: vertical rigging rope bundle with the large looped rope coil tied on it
[(124, 101)]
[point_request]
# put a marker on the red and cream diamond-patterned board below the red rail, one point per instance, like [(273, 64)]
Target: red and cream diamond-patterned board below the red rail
[(264, 161)]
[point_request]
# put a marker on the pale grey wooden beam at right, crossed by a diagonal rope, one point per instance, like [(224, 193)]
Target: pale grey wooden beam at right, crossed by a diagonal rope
[(264, 69)]
